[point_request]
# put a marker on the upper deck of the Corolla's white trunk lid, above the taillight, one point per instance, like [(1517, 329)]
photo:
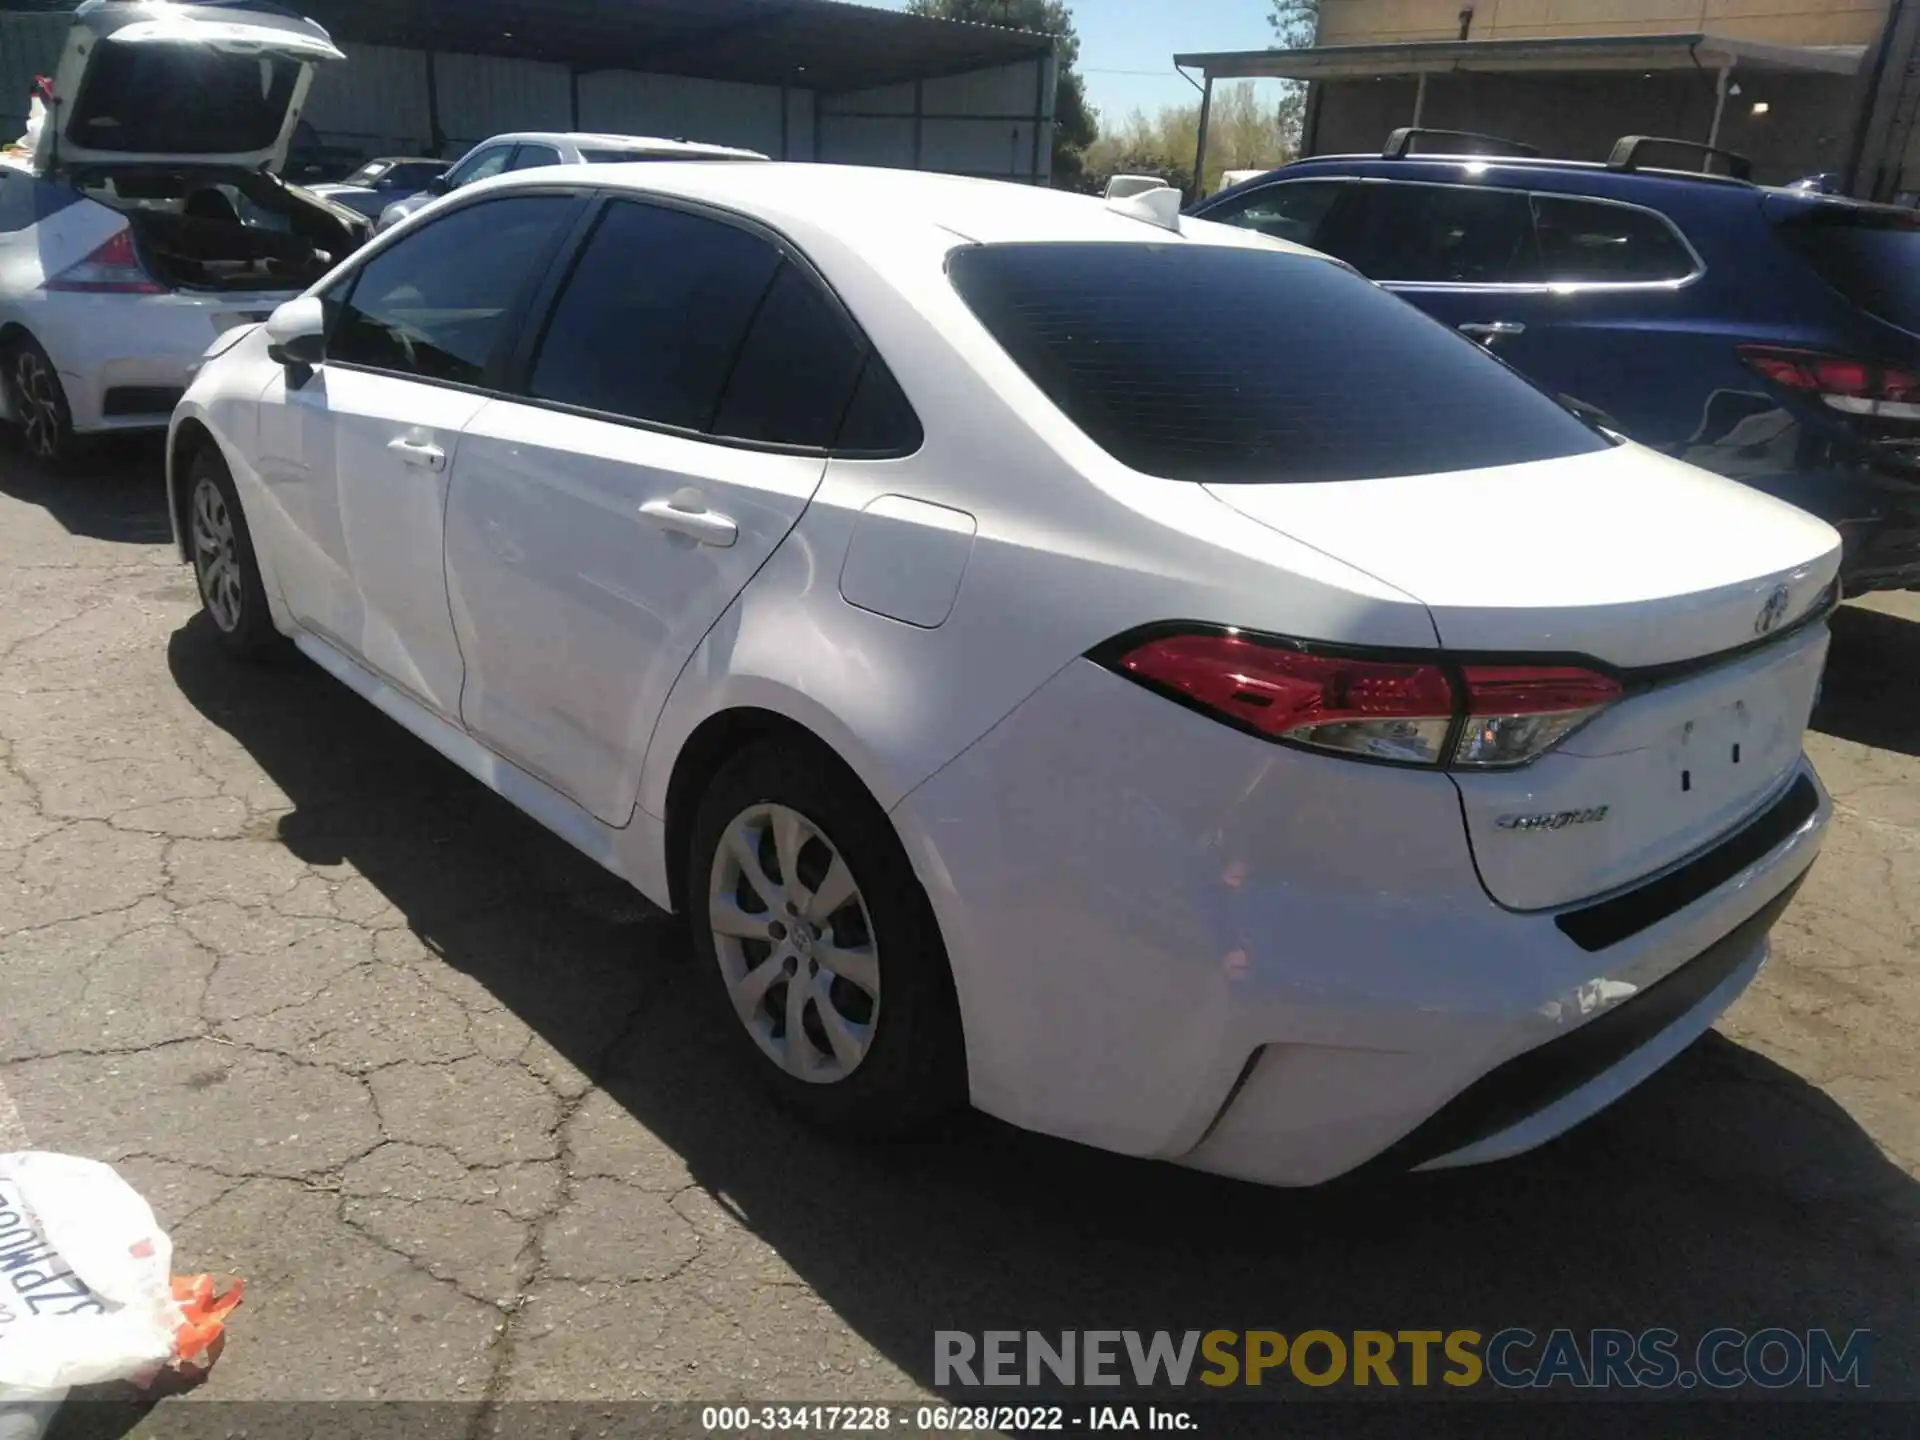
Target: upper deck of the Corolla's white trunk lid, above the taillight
[(1625, 556)]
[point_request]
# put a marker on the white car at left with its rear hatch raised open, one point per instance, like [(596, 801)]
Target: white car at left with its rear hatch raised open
[(124, 251)]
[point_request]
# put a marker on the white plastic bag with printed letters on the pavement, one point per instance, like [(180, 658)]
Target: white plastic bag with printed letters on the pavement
[(85, 1285)]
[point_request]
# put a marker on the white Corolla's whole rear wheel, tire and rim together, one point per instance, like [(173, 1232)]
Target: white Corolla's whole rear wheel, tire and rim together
[(827, 953)]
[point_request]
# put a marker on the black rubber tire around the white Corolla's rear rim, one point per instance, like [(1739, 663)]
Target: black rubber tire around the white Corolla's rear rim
[(913, 1072)]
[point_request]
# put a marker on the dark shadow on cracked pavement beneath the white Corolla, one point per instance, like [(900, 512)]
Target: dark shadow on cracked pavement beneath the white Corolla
[(1727, 1191)]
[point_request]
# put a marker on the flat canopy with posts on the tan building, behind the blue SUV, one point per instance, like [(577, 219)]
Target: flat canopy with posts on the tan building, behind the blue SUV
[(1702, 51)]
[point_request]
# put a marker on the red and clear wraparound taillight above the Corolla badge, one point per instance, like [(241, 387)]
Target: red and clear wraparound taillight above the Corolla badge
[(1397, 709)]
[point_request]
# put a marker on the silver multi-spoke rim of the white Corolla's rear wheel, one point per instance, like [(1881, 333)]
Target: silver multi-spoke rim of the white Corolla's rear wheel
[(796, 944)]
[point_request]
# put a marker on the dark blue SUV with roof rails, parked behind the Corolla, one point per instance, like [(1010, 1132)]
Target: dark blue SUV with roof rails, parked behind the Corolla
[(1769, 335)]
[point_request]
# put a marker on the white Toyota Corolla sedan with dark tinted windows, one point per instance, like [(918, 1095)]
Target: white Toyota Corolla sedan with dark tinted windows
[(1115, 671)]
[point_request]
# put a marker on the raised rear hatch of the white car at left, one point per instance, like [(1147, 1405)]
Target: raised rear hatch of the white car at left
[(155, 84)]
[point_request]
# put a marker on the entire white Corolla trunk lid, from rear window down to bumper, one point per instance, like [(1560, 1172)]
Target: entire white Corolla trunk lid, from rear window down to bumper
[(1689, 587)]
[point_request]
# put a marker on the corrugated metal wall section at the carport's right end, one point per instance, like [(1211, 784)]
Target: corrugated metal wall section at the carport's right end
[(978, 124)]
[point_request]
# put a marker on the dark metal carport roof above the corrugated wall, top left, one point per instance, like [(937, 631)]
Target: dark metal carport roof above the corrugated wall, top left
[(819, 45)]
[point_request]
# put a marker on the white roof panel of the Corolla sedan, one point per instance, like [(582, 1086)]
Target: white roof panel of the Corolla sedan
[(859, 201)]
